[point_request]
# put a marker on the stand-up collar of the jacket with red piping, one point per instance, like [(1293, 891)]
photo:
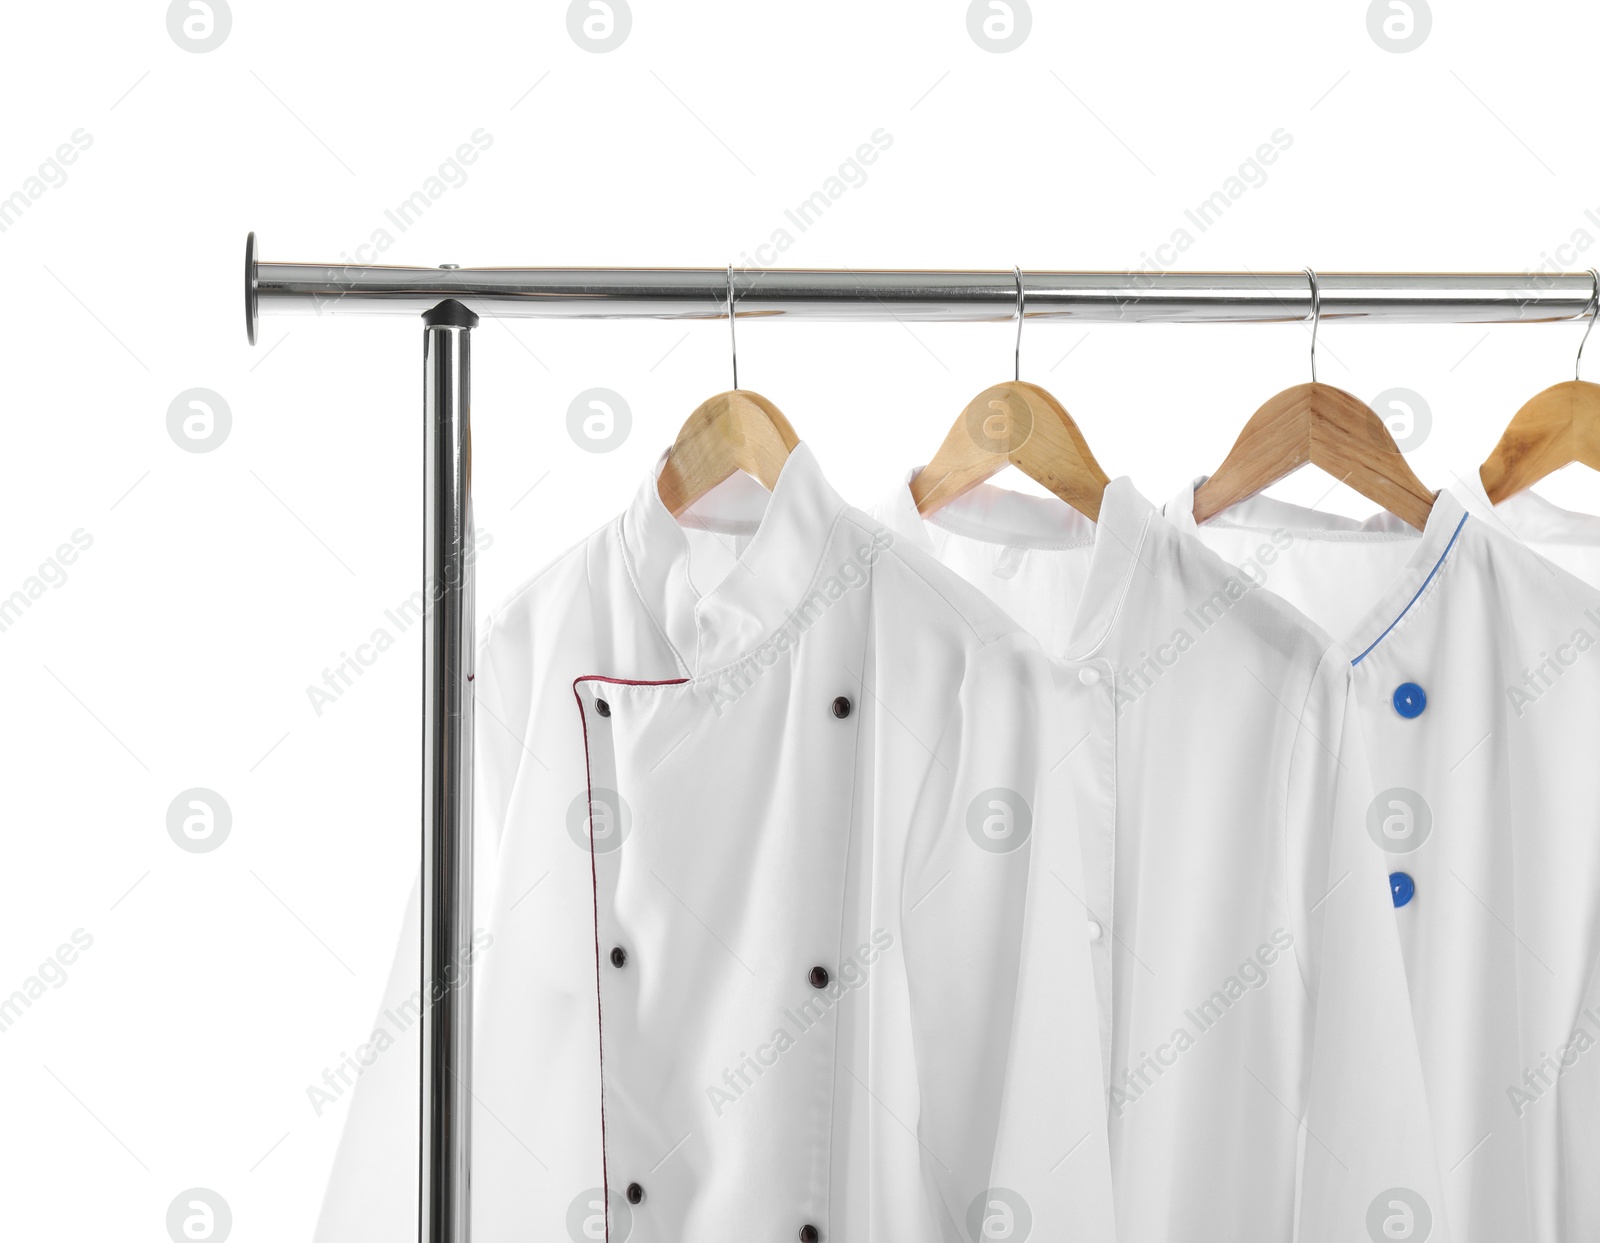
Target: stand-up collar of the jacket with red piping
[(786, 534)]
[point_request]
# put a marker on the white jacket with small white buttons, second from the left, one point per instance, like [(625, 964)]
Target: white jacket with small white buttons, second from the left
[(1262, 1065)]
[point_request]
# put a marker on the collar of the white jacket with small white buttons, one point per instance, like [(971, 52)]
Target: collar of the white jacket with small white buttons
[(1015, 521)]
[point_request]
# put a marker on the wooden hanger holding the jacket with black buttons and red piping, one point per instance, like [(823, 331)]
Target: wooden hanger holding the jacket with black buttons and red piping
[(732, 431)]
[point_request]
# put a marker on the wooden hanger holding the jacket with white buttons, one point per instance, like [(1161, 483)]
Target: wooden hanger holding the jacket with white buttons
[(1014, 425)]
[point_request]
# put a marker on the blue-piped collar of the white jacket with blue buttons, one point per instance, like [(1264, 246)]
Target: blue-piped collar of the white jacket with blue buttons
[(1433, 546)]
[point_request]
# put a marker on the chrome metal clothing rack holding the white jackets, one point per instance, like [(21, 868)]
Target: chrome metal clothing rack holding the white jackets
[(450, 302)]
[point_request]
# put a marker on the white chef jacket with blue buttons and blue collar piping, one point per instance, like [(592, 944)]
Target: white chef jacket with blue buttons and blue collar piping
[(1479, 684)]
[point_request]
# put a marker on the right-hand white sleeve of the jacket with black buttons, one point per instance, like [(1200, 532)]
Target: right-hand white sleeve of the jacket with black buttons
[(1004, 1018)]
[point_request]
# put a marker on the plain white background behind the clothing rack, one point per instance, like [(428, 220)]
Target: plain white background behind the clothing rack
[(218, 586)]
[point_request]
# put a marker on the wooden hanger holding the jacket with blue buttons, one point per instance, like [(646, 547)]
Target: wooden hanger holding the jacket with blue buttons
[(1324, 426)]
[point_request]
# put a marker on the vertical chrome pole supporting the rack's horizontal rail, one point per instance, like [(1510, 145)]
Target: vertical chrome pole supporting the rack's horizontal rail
[(447, 775)]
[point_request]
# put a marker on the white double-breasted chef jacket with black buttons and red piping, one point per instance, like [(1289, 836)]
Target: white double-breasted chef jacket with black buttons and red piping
[(766, 794)]
